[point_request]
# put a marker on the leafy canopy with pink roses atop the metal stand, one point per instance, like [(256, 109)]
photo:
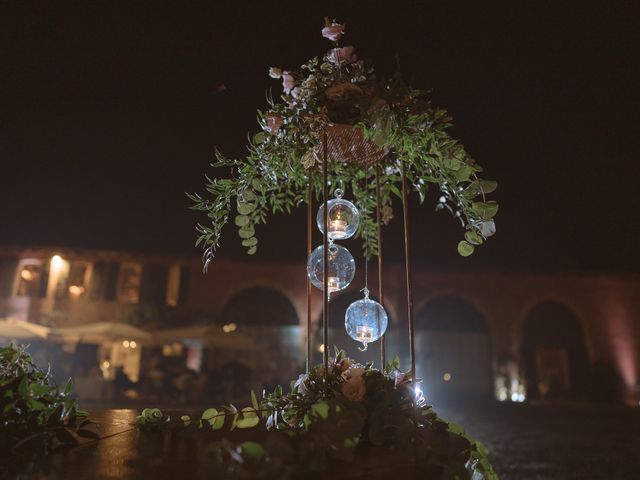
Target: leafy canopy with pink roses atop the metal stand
[(338, 89)]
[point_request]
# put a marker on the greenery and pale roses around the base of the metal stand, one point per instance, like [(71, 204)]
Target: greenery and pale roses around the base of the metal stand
[(356, 420)]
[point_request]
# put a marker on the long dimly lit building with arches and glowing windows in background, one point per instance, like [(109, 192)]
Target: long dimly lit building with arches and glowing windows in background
[(543, 336)]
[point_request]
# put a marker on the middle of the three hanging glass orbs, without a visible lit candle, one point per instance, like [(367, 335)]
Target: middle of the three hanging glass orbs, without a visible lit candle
[(342, 268)]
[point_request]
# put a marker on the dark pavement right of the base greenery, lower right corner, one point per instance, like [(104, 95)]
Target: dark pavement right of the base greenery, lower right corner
[(559, 442)]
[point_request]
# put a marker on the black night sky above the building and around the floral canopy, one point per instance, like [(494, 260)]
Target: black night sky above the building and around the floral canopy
[(108, 116)]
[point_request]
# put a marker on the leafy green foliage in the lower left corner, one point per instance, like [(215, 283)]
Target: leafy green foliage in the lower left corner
[(36, 417)]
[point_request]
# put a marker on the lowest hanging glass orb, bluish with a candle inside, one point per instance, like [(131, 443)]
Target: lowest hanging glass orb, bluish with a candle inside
[(365, 321)]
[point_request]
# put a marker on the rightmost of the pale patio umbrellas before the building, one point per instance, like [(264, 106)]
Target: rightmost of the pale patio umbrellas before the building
[(210, 336)]
